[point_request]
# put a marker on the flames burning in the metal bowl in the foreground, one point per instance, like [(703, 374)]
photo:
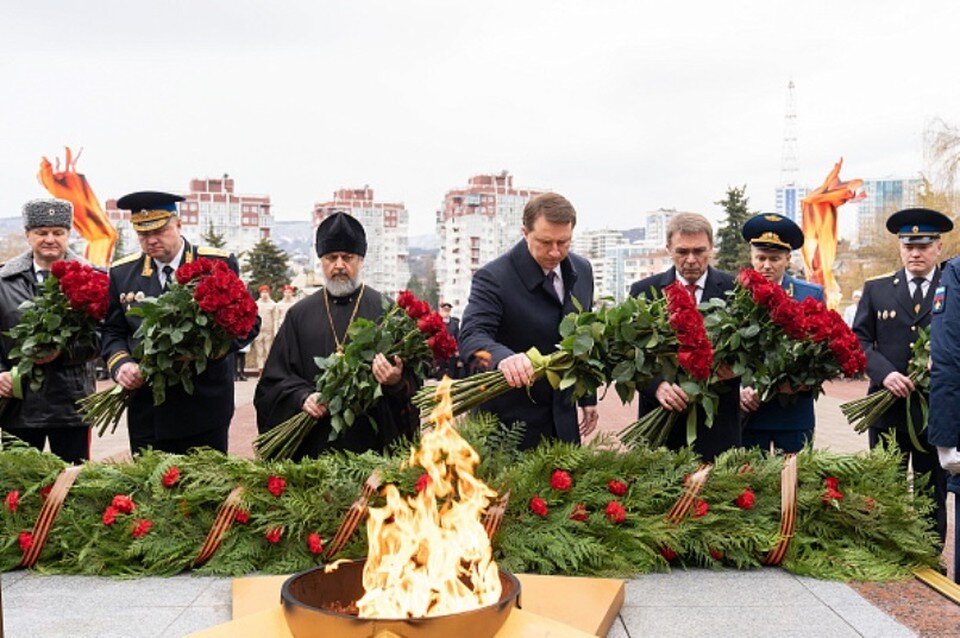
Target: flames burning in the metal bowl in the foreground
[(429, 555)]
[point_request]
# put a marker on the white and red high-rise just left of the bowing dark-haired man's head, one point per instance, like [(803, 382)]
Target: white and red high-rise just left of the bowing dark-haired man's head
[(476, 224)]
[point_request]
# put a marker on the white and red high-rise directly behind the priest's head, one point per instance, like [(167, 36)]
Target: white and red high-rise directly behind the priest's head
[(387, 227)]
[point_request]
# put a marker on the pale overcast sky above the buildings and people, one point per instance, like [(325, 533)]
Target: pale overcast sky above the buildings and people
[(621, 106)]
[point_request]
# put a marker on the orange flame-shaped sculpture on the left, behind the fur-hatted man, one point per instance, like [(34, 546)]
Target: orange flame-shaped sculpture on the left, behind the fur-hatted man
[(88, 217)]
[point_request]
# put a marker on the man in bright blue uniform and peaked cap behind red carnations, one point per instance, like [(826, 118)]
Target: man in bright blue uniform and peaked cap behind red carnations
[(787, 422)]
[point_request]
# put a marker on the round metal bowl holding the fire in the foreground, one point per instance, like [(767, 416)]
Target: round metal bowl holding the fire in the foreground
[(305, 595)]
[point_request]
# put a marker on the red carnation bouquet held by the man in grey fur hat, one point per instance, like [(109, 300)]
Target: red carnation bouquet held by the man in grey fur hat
[(72, 301)]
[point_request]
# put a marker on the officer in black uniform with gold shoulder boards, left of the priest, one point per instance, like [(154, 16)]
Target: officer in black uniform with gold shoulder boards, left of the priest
[(183, 420)]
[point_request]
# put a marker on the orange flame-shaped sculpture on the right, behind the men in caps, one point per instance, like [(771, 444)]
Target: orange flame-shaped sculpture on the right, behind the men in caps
[(820, 229)]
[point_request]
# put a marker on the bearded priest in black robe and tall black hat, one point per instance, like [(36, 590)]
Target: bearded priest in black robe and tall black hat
[(317, 326)]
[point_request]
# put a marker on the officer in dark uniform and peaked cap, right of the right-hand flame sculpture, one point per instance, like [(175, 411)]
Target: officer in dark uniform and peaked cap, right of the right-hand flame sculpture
[(893, 308)]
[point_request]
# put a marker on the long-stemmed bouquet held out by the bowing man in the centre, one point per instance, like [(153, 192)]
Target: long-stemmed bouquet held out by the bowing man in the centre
[(626, 345)]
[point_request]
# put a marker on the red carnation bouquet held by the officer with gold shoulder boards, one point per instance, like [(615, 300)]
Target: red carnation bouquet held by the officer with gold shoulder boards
[(195, 321)]
